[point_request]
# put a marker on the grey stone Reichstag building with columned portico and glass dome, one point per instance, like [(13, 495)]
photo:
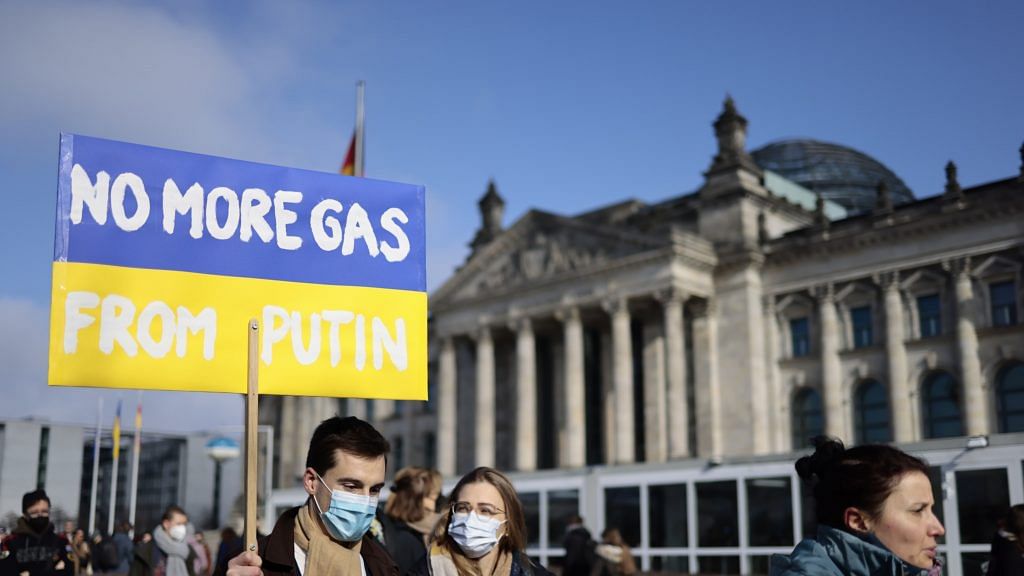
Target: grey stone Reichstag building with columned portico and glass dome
[(657, 367)]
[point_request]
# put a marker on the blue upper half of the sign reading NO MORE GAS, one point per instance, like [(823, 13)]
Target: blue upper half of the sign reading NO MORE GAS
[(151, 246)]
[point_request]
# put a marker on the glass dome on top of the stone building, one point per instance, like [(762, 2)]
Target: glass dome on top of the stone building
[(839, 174)]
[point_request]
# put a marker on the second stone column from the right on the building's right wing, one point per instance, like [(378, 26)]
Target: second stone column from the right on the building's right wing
[(900, 390)]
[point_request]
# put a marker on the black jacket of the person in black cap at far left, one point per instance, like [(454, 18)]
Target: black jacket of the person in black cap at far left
[(39, 555)]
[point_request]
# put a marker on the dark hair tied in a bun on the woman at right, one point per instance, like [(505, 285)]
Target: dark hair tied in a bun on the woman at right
[(863, 477)]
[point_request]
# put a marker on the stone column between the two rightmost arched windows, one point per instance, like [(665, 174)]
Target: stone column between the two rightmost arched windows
[(975, 406)]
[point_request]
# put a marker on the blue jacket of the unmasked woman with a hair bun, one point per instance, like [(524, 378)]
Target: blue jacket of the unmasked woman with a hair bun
[(835, 553)]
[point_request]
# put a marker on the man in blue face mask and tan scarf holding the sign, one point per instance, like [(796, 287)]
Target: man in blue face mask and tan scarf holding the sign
[(346, 468)]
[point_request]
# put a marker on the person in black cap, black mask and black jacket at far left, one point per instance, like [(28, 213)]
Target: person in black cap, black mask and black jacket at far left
[(34, 549)]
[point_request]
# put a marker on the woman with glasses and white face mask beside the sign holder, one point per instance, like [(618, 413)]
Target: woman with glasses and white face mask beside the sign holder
[(483, 532)]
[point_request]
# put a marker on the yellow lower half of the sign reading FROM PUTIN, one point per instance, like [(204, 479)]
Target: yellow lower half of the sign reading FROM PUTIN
[(134, 328)]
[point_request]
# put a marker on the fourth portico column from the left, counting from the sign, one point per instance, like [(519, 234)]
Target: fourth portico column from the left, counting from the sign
[(574, 454)]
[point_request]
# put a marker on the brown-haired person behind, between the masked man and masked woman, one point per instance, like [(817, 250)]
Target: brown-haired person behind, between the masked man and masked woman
[(410, 515)]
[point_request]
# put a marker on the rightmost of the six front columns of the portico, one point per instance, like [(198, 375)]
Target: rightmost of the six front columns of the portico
[(678, 405)]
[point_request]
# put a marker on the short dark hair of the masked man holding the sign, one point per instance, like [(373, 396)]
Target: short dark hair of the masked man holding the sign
[(349, 435)]
